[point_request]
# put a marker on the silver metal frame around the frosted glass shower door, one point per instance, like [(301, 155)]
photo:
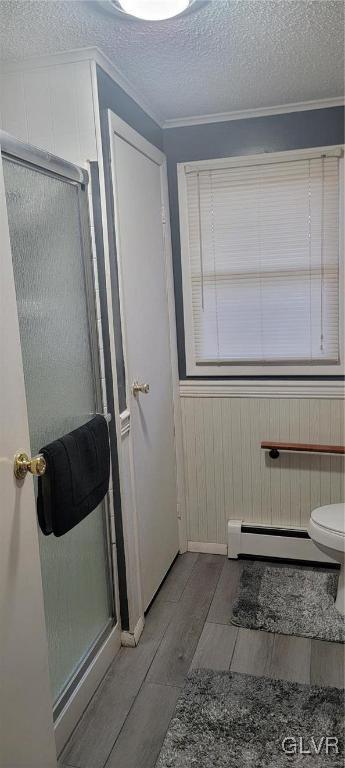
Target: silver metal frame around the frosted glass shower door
[(44, 162)]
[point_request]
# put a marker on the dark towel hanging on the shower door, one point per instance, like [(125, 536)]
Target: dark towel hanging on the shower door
[(76, 479)]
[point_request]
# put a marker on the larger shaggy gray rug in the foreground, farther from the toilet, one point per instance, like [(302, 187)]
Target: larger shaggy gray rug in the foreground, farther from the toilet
[(228, 720)]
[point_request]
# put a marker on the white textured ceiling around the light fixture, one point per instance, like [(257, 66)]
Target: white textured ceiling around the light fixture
[(227, 55)]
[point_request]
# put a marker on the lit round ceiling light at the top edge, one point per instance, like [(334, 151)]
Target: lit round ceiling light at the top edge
[(150, 10)]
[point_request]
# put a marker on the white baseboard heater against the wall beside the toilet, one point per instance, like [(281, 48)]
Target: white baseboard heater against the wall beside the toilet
[(272, 541)]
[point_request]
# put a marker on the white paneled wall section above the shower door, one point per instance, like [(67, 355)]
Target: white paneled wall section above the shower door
[(52, 108)]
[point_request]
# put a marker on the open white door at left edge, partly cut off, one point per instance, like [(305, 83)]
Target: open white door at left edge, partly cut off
[(26, 718)]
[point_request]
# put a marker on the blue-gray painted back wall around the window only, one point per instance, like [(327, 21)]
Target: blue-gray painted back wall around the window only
[(297, 130)]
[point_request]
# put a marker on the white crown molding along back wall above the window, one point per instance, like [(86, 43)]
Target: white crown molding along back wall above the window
[(244, 114)]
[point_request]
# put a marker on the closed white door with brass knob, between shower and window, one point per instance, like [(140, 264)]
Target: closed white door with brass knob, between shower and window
[(138, 170)]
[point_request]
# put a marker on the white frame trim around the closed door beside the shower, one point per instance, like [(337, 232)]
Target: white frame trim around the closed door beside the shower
[(119, 128)]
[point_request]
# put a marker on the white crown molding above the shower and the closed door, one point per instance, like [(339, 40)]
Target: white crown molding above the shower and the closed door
[(84, 54)]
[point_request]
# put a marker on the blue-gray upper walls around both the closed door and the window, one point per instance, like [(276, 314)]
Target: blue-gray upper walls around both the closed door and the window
[(297, 130)]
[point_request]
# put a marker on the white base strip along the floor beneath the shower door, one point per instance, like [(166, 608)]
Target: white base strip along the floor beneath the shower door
[(76, 705)]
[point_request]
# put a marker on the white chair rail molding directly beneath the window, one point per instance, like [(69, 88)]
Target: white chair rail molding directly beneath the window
[(308, 390)]
